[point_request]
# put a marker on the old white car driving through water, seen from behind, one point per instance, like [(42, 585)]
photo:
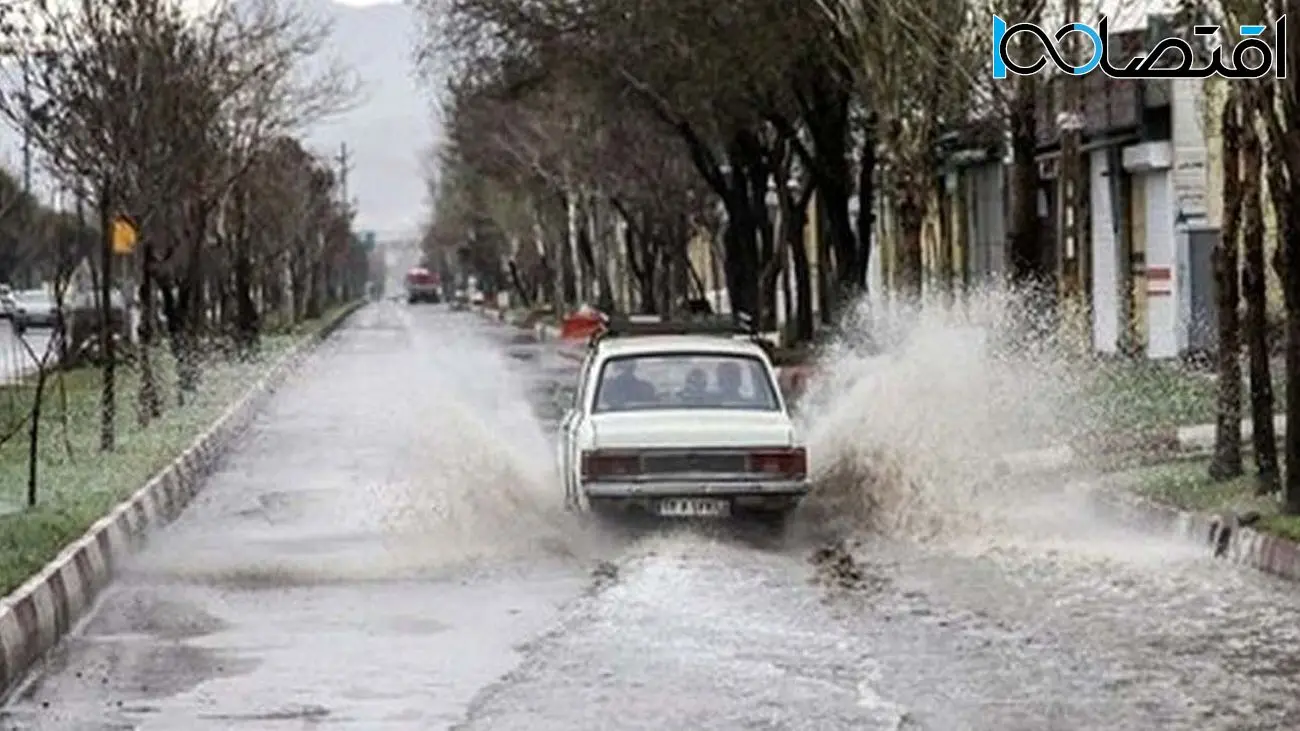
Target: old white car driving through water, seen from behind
[(687, 425)]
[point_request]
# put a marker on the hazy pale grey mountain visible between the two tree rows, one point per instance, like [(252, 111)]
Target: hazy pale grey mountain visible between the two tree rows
[(388, 135)]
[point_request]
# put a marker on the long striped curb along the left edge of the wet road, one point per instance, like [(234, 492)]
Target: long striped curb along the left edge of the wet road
[(40, 613)]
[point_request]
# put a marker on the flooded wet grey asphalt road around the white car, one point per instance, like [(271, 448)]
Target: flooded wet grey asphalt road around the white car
[(387, 551)]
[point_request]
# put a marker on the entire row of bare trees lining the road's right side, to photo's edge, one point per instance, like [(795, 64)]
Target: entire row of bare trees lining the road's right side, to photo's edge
[(582, 132)]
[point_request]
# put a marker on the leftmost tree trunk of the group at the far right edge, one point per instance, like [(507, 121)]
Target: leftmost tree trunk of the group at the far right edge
[(1228, 425)]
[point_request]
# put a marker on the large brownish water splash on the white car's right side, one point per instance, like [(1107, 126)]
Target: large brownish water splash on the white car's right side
[(905, 426)]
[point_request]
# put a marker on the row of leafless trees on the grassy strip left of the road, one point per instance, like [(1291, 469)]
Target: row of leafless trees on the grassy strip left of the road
[(188, 124)]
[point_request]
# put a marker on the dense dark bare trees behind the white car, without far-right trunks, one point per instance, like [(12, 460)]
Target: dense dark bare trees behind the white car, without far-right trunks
[(673, 119)]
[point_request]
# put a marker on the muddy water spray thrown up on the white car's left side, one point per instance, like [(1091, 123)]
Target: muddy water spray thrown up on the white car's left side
[(486, 482)]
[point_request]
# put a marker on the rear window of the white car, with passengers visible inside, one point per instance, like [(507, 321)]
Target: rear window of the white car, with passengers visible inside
[(684, 380)]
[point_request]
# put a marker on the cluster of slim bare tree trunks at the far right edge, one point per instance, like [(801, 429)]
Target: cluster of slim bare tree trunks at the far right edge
[(1260, 126)]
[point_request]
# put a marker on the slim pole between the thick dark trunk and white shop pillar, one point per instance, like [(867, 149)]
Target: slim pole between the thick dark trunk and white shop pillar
[(1073, 181)]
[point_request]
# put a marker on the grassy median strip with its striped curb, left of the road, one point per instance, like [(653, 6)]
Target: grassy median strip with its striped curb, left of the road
[(94, 509)]
